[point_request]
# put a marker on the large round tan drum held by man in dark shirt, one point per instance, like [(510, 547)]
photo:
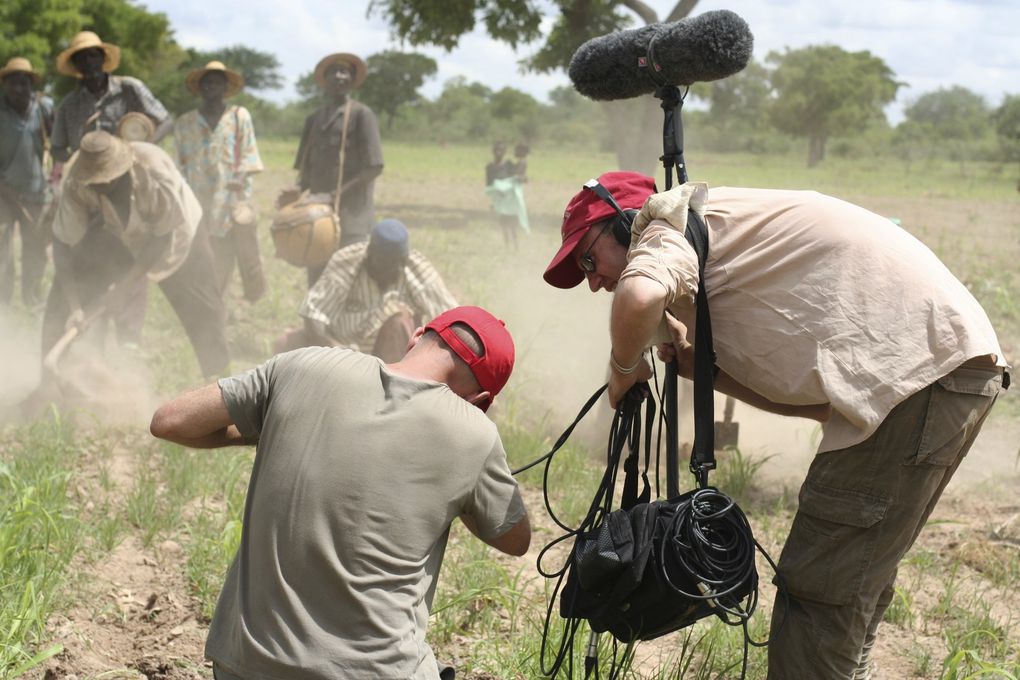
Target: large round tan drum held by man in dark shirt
[(307, 234)]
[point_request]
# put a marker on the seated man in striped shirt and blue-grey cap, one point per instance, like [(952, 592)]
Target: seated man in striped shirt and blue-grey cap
[(371, 297)]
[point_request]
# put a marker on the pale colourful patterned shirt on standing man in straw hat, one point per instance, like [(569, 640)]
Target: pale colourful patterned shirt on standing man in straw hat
[(213, 159)]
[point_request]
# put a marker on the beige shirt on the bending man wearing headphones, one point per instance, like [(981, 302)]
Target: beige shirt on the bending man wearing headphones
[(813, 300)]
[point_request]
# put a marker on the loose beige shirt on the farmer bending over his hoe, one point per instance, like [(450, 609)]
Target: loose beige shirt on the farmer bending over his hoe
[(162, 204)]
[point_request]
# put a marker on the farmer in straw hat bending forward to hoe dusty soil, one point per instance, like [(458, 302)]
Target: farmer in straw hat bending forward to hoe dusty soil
[(148, 231)]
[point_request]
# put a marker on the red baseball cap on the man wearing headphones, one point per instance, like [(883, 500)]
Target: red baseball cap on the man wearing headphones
[(585, 211)]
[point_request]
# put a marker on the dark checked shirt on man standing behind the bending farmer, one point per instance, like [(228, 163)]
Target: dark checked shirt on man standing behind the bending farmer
[(125, 94)]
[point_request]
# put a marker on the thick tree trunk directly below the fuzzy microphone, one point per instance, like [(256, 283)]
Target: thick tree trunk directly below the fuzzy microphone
[(637, 129)]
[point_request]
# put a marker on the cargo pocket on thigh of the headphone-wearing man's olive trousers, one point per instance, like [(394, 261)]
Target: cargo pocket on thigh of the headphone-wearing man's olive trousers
[(831, 544)]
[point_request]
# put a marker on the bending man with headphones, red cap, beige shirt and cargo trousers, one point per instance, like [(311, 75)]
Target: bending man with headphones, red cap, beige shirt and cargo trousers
[(820, 309)]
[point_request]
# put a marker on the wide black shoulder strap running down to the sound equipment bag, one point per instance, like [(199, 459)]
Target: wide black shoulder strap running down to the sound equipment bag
[(703, 454)]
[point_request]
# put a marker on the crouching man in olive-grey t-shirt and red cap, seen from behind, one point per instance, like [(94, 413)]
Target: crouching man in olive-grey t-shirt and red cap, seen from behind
[(361, 469)]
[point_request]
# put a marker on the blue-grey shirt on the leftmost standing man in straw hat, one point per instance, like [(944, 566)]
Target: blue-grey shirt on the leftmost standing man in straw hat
[(22, 148)]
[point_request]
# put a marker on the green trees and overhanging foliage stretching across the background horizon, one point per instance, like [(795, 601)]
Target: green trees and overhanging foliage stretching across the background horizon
[(818, 100)]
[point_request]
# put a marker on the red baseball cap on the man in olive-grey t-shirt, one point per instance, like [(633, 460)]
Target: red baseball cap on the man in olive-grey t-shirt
[(493, 370)]
